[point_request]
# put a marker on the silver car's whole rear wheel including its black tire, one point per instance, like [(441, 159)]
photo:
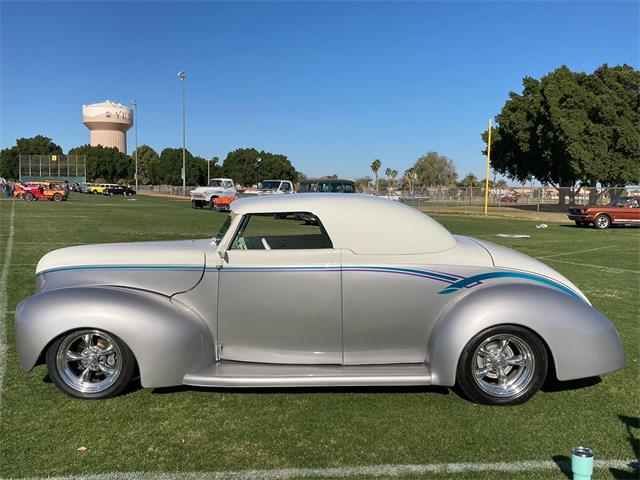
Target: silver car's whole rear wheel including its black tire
[(522, 382)]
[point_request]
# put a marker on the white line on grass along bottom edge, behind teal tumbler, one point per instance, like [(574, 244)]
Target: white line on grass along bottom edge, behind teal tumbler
[(388, 471)]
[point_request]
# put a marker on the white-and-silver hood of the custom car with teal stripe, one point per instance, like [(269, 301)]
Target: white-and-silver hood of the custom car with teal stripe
[(163, 267)]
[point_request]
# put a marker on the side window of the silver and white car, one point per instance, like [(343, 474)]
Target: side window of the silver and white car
[(281, 231)]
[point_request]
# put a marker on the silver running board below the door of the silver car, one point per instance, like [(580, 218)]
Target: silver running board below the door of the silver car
[(250, 375)]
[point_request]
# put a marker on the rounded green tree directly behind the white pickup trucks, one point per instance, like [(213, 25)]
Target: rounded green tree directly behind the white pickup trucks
[(243, 167)]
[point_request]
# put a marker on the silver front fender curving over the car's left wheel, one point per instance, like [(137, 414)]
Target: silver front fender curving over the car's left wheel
[(167, 340)]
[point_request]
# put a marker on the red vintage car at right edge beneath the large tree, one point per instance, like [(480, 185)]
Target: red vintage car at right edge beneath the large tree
[(620, 211)]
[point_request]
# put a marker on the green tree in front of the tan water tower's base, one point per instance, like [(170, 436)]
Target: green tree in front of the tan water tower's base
[(106, 163)]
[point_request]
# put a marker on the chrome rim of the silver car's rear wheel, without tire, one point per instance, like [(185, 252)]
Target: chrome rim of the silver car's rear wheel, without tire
[(503, 365)]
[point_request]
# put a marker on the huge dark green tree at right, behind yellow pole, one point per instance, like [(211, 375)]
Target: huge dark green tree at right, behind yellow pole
[(572, 129)]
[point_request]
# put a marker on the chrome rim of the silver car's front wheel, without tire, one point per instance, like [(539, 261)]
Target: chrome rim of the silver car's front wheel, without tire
[(89, 361)]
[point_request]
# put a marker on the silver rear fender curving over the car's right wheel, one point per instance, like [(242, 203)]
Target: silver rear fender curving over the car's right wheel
[(582, 341)]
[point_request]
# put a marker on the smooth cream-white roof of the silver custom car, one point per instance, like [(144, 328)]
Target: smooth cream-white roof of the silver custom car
[(364, 224)]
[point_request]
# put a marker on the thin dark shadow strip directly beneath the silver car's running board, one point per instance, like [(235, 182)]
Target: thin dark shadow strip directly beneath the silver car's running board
[(303, 390)]
